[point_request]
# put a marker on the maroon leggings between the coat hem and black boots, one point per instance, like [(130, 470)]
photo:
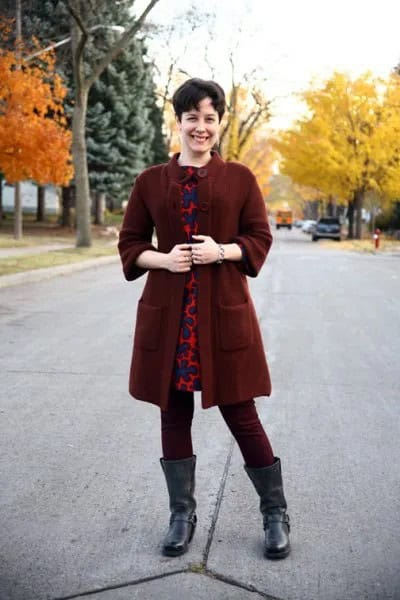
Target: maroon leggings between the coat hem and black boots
[(242, 420)]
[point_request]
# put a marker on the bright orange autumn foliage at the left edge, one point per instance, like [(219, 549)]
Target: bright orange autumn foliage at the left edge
[(34, 139)]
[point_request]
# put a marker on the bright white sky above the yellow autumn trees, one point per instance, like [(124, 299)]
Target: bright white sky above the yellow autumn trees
[(286, 44)]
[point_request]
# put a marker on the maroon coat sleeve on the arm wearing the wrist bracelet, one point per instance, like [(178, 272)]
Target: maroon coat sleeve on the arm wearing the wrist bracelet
[(255, 236)]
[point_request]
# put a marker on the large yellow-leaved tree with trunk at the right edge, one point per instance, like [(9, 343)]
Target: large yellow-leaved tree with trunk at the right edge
[(348, 144)]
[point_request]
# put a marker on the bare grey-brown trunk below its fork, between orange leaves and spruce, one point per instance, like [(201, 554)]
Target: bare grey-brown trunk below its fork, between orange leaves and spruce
[(82, 191)]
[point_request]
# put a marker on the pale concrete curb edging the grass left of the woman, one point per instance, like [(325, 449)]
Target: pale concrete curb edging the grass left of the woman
[(48, 272)]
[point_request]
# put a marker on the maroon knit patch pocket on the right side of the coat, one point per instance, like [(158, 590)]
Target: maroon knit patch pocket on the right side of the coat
[(235, 327)]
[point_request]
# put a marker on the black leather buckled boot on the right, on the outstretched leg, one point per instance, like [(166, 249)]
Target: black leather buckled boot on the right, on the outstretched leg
[(269, 486)]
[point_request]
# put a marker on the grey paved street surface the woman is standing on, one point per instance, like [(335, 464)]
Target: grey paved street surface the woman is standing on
[(83, 504)]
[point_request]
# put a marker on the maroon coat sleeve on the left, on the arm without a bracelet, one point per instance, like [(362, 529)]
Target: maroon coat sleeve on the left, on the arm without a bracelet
[(136, 233)]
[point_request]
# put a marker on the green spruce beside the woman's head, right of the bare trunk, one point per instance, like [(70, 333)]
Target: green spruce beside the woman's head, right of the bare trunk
[(122, 124)]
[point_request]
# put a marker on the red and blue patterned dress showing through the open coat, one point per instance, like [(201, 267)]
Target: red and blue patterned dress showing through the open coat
[(187, 371)]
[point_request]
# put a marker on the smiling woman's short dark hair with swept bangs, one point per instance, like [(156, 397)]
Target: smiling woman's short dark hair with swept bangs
[(189, 94)]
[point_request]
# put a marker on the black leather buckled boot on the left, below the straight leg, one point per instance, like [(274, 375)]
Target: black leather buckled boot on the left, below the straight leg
[(180, 476)]
